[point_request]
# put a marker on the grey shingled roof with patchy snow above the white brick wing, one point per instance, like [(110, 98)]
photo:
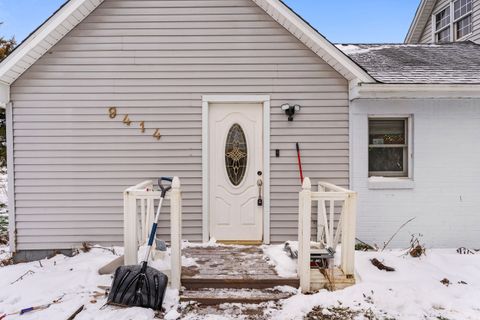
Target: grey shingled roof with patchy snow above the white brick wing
[(452, 63)]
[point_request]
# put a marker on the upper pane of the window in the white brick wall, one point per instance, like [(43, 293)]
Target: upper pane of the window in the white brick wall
[(383, 132)]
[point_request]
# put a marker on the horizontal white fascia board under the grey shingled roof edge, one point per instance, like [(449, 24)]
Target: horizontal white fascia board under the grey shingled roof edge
[(414, 91)]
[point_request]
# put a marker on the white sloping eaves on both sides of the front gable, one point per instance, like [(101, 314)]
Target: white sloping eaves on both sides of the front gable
[(74, 11)]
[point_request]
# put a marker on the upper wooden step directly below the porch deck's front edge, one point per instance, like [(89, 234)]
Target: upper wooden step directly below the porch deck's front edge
[(229, 282)]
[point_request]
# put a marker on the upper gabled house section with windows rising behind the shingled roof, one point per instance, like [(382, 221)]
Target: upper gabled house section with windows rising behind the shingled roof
[(438, 21)]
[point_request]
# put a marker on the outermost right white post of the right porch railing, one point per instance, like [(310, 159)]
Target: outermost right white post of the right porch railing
[(348, 235)]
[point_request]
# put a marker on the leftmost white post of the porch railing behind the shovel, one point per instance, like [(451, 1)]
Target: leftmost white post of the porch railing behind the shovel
[(130, 221)]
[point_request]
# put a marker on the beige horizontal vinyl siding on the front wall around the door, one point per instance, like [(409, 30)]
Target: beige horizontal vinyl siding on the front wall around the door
[(154, 60)]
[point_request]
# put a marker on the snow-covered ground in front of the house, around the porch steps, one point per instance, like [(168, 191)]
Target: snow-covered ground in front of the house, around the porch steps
[(414, 291)]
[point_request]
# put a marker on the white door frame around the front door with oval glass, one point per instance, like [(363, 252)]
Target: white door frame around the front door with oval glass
[(241, 99)]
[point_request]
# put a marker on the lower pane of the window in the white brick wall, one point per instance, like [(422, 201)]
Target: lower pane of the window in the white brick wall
[(386, 159)]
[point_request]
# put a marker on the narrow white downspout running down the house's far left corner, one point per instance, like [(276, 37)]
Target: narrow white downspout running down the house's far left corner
[(7, 105)]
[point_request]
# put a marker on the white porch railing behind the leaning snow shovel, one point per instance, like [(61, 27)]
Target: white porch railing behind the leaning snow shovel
[(138, 223)]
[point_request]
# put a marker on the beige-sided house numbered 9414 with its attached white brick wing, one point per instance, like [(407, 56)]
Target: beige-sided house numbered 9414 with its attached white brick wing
[(109, 93)]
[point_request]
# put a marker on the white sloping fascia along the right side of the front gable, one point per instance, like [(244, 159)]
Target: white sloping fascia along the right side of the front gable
[(313, 35)]
